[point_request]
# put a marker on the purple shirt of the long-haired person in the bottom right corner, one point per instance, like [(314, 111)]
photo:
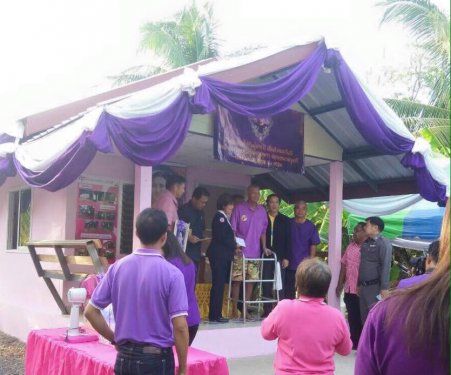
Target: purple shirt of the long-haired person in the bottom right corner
[(384, 351)]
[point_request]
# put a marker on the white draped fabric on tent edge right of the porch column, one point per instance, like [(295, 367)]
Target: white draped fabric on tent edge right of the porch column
[(380, 206)]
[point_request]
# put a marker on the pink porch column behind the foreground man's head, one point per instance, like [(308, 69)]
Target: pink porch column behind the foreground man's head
[(143, 195)]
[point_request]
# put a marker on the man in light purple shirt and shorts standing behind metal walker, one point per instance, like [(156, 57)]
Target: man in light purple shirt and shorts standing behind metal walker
[(249, 222)]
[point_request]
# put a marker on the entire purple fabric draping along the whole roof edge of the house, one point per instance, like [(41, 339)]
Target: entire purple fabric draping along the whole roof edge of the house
[(151, 140)]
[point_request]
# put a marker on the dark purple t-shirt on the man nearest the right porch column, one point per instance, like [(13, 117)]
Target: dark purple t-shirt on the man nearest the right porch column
[(302, 237)]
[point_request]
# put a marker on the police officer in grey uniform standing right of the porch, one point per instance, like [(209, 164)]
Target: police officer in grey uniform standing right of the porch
[(375, 263)]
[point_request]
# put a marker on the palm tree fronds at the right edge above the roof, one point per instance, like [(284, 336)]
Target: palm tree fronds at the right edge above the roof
[(430, 28)]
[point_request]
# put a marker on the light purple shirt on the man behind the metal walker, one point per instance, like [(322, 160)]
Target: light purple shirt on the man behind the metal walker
[(250, 225)]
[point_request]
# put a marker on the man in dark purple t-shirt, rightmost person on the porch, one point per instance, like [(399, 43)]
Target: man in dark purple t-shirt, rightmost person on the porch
[(304, 239)]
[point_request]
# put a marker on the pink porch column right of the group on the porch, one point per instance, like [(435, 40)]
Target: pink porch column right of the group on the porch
[(335, 221)]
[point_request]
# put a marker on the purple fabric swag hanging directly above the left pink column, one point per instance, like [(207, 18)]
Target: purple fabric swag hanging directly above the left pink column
[(152, 139)]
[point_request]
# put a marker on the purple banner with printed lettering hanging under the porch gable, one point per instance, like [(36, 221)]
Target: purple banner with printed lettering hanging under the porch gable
[(275, 142)]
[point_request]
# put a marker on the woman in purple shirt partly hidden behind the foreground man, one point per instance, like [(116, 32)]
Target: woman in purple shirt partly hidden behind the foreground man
[(175, 255)]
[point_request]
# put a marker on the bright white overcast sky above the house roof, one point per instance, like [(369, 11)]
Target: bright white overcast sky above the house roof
[(56, 51)]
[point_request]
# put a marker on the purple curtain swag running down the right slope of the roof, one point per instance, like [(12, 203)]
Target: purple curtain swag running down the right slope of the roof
[(373, 129)]
